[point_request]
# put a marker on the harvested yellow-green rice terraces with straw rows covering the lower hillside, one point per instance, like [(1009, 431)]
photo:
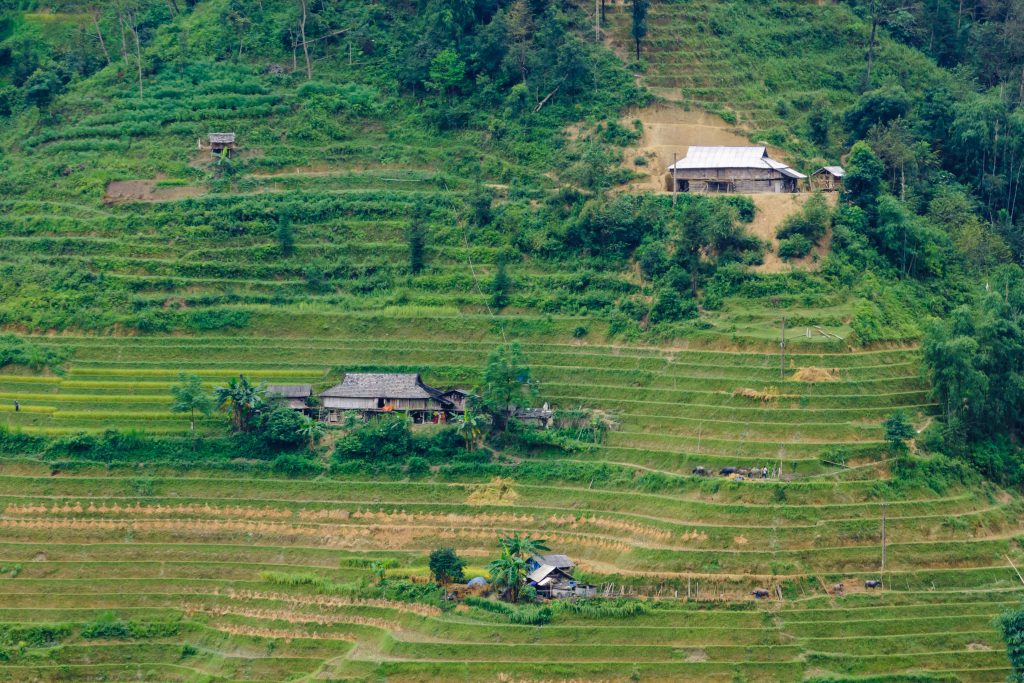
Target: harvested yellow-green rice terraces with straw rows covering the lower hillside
[(251, 578)]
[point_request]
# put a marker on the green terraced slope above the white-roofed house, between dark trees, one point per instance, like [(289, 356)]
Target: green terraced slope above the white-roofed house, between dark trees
[(764, 67)]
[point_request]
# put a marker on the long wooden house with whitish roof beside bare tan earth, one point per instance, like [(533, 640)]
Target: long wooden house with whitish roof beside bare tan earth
[(706, 169)]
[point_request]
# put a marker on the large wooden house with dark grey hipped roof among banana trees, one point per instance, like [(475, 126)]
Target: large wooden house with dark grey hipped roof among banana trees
[(371, 394)]
